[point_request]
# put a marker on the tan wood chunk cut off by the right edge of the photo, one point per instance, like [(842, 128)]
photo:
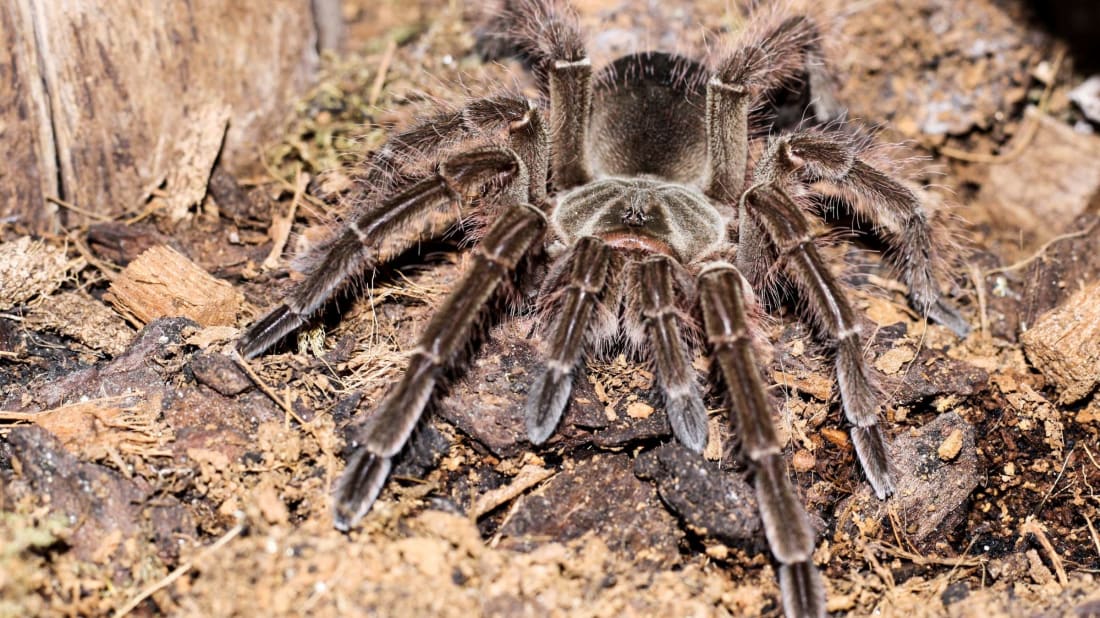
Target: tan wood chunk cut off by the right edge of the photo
[(1065, 345)]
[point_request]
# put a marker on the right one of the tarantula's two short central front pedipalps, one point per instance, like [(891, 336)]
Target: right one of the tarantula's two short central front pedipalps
[(684, 403)]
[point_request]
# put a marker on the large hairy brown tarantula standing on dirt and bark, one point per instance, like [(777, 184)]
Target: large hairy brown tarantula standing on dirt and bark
[(631, 194)]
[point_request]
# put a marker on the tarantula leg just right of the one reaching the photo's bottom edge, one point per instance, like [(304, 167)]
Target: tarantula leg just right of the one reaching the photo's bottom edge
[(832, 316)]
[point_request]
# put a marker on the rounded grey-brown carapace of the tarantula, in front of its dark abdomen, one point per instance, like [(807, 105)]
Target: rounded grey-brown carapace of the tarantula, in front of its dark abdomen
[(632, 213)]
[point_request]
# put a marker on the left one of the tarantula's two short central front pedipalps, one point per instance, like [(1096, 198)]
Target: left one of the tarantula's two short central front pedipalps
[(551, 392)]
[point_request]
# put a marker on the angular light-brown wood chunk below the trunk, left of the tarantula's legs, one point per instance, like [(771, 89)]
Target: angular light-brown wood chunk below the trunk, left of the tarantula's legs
[(162, 283)]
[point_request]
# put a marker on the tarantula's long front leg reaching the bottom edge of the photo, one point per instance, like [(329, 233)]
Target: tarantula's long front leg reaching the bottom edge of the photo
[(728, 304)]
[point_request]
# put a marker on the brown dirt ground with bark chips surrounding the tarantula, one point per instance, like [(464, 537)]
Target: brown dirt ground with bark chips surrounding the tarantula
[(144, 471)]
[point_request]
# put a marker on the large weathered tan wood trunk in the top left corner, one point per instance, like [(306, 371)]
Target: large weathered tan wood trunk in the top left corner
[(102, 102)]
